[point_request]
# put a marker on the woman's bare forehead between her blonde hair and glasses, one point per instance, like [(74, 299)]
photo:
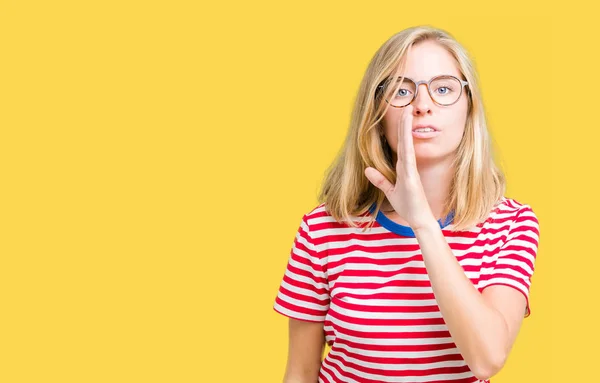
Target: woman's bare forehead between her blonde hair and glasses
[(428, 59)]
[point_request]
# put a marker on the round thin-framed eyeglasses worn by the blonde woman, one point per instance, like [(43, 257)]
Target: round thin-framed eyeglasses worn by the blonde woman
[(444, 90)]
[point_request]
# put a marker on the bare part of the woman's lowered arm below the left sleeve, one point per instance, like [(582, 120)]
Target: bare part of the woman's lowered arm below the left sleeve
[(306, 346)]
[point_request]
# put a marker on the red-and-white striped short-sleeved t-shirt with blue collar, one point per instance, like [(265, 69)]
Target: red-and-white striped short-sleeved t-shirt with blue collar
[(373, 293)]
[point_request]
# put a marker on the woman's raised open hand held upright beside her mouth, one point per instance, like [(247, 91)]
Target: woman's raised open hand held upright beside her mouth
[(406, 196)]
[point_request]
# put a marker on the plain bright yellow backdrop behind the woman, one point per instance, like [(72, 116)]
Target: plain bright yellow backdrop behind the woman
[(156, 158)]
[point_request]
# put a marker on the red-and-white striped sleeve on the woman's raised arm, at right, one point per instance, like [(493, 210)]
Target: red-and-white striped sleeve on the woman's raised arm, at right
[(513, 264)]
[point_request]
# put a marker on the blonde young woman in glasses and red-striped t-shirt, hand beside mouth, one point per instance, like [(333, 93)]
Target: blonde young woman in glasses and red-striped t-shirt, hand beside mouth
[(414, 267)]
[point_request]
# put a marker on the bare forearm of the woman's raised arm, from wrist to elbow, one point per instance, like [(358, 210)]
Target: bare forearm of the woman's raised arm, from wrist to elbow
[(479, 331)]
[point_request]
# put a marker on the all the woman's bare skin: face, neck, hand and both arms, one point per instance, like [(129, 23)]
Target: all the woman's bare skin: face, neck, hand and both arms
[(484, 325)]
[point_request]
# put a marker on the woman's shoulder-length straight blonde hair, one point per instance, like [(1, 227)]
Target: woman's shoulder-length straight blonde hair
[(477, 185)]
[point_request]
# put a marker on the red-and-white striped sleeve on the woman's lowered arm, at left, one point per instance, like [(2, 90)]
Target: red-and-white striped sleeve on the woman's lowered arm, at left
[(304, 292)]
